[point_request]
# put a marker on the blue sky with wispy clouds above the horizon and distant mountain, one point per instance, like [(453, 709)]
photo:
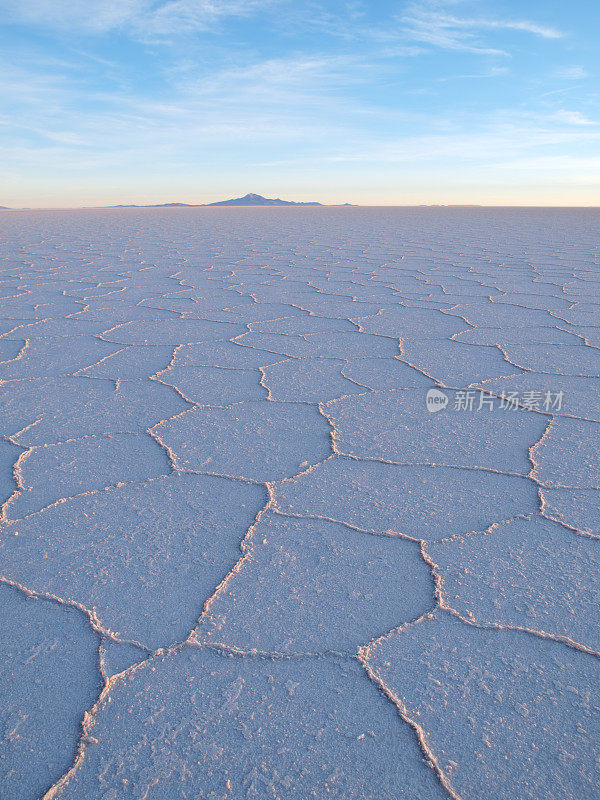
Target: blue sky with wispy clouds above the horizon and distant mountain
[(377, 103)]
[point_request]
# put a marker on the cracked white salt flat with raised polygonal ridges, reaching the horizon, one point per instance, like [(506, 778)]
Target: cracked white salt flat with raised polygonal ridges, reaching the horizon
[(241, 557)]
